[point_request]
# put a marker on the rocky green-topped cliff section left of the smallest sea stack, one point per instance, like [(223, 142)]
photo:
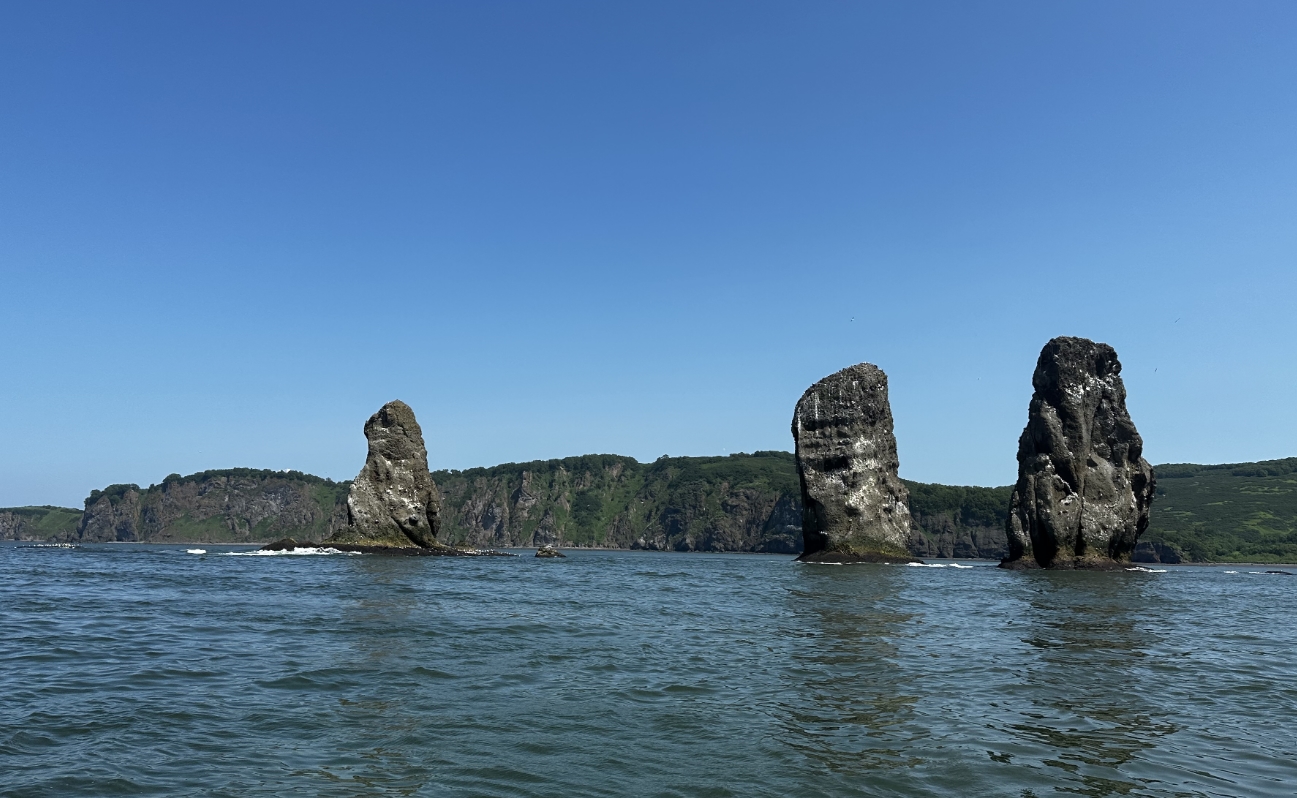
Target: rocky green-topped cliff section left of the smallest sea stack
[(235, 507)]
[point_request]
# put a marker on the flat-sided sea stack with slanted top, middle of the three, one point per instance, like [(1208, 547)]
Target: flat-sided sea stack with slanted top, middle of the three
[(854, 505)]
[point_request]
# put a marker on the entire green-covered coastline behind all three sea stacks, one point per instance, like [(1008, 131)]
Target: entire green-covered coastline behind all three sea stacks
[(743, 503)]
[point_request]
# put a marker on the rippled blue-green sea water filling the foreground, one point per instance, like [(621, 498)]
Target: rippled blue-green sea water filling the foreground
[(145, 670)]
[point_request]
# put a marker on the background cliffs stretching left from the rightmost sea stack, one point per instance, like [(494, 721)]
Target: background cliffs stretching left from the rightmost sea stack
[(744, 503)]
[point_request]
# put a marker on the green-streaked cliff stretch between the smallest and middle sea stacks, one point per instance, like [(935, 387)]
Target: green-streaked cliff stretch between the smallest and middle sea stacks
[(724, 504)]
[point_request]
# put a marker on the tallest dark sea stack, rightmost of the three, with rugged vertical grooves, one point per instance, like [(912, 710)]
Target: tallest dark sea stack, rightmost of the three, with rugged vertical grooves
[(1084, 489)]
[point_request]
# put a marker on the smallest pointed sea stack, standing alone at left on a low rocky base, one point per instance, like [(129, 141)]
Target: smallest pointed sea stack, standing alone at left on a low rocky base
[(394, 502)]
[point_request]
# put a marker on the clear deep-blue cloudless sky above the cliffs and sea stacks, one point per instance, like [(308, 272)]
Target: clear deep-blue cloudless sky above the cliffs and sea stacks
[(229, 233)]
